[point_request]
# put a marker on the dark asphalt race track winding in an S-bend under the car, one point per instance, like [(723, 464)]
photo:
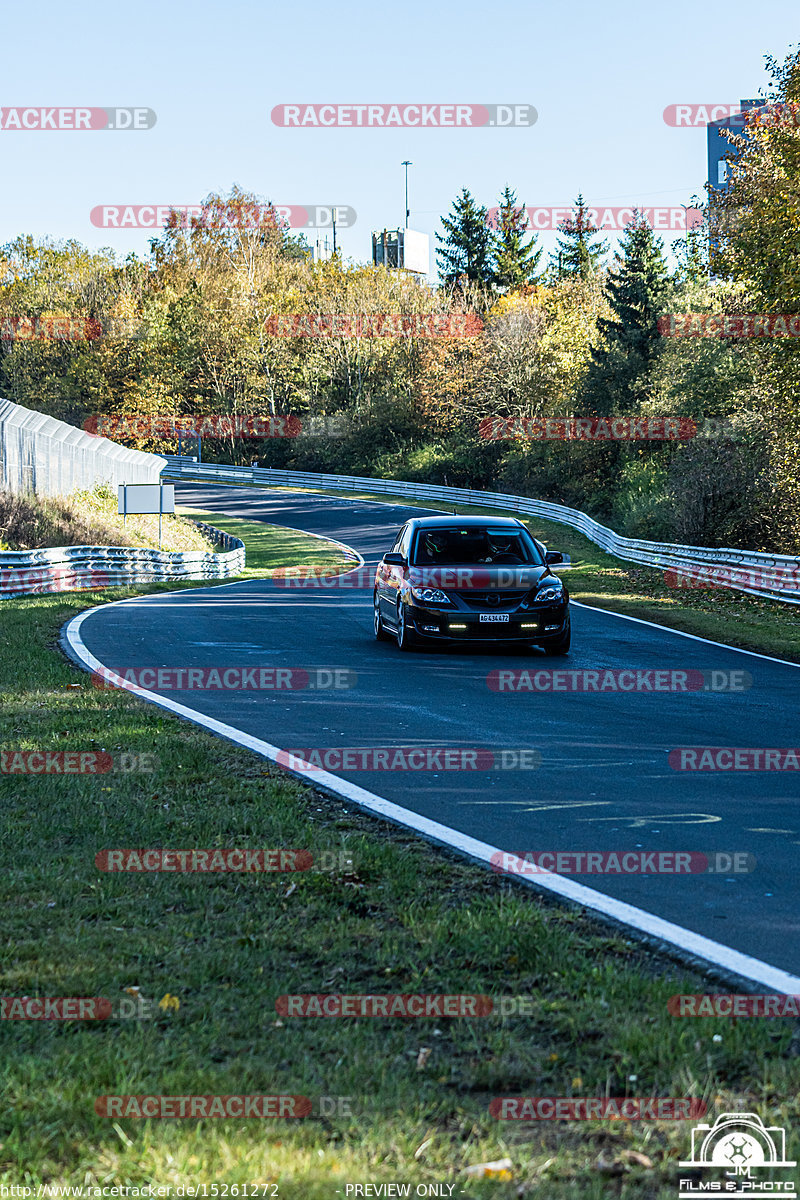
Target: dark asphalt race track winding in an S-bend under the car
[(605, 782)]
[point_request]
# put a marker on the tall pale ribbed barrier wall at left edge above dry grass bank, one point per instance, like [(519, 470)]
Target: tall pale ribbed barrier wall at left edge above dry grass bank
[(39, 454)]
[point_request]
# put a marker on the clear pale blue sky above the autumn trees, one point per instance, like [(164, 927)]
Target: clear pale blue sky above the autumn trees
[(600, 76)]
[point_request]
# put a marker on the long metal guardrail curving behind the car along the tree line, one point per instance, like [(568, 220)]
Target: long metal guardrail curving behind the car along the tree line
[(756, 573)]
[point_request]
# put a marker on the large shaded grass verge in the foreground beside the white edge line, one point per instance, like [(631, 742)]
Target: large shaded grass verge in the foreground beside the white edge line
[(209, 955)]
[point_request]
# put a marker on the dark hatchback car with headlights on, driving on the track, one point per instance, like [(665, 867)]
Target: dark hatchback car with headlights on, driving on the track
[(471, 580)]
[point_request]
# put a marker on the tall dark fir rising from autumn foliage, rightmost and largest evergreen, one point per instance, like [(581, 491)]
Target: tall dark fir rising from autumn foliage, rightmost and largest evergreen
[(637, 291)]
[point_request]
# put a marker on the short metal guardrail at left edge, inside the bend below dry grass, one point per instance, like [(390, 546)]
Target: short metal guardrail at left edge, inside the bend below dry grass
[(81, 568)]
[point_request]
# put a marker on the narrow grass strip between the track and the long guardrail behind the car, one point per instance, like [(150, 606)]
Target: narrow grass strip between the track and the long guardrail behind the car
[(603, 581)]
